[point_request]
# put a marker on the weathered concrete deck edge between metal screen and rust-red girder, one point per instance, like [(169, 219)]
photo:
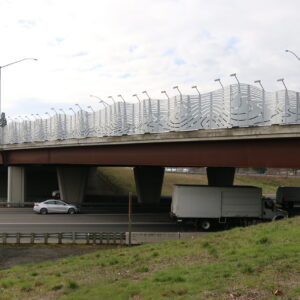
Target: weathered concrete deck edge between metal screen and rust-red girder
[(222, 134)]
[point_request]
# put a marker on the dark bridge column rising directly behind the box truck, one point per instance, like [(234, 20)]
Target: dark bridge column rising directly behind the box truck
[(220, 176)]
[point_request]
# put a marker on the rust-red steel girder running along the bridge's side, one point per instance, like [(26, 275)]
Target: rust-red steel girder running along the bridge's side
[(276, 153)]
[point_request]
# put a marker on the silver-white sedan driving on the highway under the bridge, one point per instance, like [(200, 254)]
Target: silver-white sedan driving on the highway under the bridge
[(55, 206)]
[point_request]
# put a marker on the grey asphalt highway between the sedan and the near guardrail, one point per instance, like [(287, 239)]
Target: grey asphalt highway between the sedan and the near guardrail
[(25, 220)]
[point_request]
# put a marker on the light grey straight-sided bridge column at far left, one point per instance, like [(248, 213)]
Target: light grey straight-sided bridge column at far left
[(16, 185)]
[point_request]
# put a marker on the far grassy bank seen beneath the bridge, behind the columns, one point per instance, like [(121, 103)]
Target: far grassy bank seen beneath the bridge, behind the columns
[(123, 178)]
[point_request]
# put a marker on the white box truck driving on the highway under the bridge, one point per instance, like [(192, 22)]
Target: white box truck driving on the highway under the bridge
[(205, 206)]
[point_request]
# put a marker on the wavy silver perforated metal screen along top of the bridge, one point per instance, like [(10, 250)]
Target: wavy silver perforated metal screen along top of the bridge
[(238, 105)]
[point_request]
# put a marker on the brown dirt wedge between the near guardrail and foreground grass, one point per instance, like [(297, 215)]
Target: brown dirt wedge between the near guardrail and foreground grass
[(17, 255)]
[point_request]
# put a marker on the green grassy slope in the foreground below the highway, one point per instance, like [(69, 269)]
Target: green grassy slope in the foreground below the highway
[(243, 263)]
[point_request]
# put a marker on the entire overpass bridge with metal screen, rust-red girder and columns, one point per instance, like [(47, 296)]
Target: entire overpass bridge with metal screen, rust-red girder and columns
[(237, 126)]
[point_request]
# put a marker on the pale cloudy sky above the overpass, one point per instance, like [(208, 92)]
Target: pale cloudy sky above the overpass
[(107, 48)]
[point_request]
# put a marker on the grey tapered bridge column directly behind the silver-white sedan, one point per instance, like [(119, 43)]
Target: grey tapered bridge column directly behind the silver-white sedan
[(72, 182)]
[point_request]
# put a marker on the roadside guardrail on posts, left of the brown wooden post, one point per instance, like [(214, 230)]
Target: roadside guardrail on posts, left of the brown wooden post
[(93, 238)]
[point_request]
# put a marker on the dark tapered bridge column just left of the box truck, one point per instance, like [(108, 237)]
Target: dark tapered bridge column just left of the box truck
[(149, 182)]
